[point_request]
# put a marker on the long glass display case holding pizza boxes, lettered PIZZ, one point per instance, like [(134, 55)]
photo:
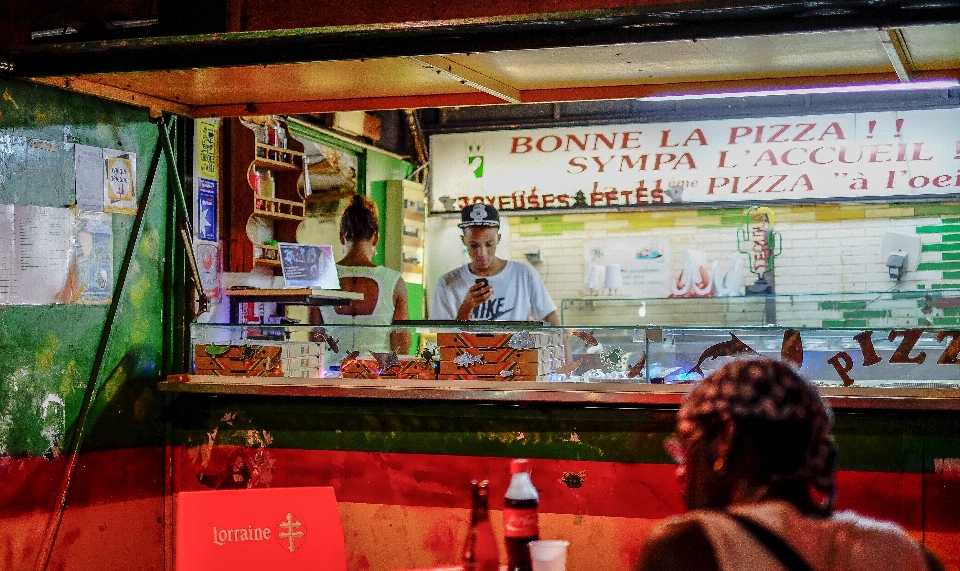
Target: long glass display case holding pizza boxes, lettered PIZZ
[(501, 356)]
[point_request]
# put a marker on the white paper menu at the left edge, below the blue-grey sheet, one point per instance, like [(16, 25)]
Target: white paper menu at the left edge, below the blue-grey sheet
[(37, 255)]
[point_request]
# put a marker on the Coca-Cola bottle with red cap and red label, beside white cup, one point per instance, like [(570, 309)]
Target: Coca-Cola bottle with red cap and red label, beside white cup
[(520, 516)]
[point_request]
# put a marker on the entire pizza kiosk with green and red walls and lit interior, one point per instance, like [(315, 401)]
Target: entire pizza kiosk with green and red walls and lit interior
[(693, 186)]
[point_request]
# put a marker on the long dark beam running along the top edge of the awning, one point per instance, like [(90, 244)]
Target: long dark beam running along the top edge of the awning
[(495, 34)]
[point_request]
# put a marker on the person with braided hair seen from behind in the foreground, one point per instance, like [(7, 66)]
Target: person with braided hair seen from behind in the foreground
[(758, 472)]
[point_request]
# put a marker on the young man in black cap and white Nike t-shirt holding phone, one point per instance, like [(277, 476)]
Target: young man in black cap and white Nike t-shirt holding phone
[(490, 288)]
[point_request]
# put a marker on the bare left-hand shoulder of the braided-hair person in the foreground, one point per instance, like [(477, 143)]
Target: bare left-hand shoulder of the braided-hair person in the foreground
[(677, 545)]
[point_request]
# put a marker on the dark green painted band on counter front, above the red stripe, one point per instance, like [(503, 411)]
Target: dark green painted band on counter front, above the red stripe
[(872, 441)]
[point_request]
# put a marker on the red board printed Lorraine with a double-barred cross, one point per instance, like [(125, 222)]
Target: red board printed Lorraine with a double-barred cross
[(268, 528)]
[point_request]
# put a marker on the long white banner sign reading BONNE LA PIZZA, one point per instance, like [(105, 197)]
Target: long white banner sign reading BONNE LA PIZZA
[(844, 156)]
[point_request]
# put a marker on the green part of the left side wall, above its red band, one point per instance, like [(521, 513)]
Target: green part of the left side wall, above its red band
[(50, 349)]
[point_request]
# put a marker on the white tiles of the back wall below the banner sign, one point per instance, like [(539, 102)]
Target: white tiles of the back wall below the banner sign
[(817, 257)]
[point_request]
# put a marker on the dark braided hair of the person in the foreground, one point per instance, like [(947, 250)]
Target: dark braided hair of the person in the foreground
[(783, 426)]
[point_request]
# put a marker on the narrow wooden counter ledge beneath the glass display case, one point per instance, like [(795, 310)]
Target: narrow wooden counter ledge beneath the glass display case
[(534, 392)]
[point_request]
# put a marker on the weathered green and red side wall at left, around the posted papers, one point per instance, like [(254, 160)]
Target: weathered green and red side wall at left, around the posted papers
[(49, 350)]
